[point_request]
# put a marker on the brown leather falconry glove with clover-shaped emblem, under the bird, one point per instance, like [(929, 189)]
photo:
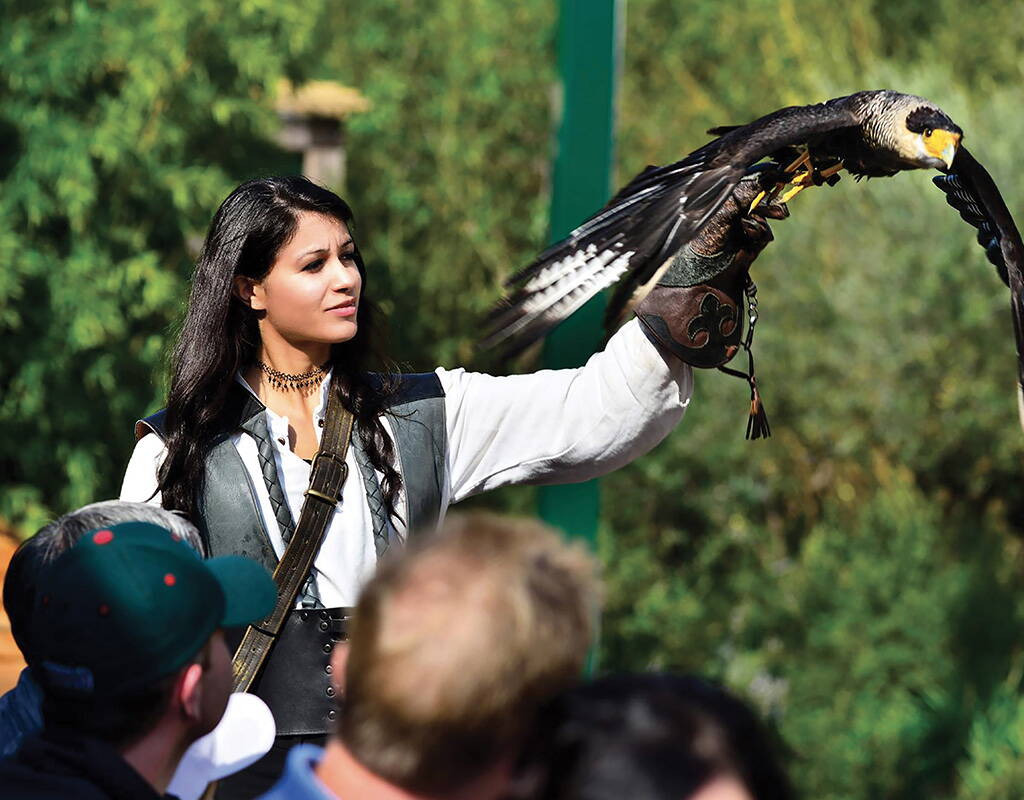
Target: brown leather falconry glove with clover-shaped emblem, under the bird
[(696, 311)]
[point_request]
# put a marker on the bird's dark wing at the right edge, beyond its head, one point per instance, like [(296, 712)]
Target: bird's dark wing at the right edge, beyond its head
[(972, 192)]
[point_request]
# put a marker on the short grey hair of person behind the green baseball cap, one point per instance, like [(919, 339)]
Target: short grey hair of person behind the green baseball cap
[(63, 534)]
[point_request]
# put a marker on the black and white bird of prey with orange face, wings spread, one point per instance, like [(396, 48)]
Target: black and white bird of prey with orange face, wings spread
[(870, 135)]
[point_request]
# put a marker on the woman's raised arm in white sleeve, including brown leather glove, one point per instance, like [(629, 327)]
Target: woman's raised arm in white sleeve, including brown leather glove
[(570, 426)]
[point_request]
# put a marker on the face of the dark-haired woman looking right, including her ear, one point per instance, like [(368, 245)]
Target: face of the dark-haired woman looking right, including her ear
[(312, 293)]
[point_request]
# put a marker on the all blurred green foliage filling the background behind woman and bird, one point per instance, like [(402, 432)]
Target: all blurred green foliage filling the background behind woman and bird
[(858, 576)]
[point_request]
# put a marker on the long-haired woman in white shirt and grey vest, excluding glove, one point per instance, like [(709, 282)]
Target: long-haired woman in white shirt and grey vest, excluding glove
[(280, 315)]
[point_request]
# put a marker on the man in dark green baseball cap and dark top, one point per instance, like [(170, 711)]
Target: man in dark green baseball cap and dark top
[(126, 631)]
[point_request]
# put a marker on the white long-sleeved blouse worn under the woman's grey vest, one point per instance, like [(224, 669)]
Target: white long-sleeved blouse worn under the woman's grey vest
[(552, 427)]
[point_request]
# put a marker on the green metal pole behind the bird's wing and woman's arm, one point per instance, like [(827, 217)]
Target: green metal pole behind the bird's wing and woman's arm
[(588, 57)]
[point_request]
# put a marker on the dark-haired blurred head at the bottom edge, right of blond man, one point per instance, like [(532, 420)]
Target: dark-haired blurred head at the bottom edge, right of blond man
[(649, 737)]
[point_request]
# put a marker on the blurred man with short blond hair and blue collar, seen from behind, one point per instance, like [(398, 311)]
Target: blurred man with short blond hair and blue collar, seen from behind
[(455, 645)]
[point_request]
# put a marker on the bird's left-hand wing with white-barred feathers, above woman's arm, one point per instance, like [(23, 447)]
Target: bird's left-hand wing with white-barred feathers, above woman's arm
[(648, 223)]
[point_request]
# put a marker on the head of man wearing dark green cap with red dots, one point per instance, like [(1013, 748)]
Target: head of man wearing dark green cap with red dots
[(126, 634)]
